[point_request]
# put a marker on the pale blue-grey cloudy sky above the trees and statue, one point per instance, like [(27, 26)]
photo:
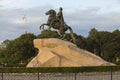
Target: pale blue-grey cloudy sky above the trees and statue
[(81, 15)]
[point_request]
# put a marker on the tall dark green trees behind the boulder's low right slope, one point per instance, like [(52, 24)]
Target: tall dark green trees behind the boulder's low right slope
[(106, 44)]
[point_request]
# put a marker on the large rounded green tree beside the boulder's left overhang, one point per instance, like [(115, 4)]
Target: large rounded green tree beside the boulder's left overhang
[(20, 49)]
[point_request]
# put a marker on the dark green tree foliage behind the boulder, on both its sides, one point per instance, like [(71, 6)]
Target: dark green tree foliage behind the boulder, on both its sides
[(102, 43)]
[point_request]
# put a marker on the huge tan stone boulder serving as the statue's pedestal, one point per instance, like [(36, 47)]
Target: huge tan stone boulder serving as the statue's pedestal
[(58, 53)]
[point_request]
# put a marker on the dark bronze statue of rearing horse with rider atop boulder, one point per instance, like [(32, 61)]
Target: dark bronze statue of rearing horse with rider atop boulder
[(57, 22)]
